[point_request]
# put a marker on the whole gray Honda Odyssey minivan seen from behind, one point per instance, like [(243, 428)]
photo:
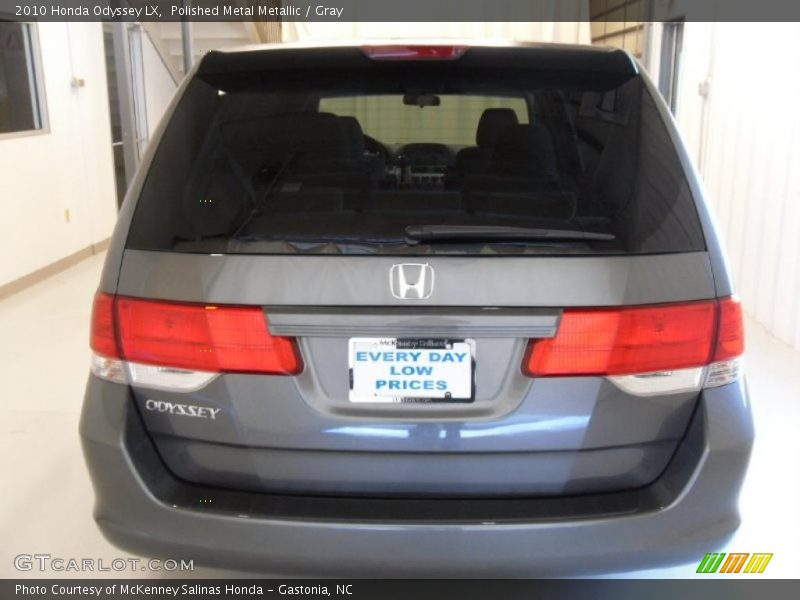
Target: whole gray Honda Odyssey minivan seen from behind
[(417, 310)]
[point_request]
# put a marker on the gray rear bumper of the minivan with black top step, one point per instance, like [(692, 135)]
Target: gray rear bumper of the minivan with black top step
[(690, 510)]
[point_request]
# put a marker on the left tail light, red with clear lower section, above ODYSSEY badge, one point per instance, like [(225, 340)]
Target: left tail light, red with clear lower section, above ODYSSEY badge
[(168, 337)]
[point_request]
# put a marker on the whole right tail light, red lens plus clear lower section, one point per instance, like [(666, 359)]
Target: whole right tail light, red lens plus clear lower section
[(644, 342)]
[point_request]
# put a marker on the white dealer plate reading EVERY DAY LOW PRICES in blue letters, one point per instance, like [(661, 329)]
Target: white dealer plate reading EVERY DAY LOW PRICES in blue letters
[(394, 370)]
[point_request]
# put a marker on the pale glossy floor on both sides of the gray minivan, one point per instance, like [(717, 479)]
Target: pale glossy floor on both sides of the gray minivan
[(46, 502)]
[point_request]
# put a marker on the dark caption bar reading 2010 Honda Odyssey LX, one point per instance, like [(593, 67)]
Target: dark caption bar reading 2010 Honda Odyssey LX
[(400, 10)]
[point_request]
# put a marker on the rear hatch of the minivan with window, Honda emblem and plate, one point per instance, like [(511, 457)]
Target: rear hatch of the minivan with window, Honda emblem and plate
[(406, 227)]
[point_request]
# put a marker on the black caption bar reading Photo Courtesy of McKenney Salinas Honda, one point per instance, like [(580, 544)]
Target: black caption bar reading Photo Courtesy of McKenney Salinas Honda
[(405, 589)]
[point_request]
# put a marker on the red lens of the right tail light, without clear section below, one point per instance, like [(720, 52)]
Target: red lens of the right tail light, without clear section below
[(622, 341)]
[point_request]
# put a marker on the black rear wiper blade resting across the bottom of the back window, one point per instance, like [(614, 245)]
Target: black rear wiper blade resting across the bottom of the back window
[(491, 233)]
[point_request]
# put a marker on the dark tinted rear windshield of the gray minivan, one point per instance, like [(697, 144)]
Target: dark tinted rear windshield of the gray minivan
[(398, 160)]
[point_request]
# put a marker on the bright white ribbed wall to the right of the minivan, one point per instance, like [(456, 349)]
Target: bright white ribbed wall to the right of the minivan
[(745, 137)]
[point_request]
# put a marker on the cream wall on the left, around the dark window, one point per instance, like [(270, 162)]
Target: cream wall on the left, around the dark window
[(56, 189)]
